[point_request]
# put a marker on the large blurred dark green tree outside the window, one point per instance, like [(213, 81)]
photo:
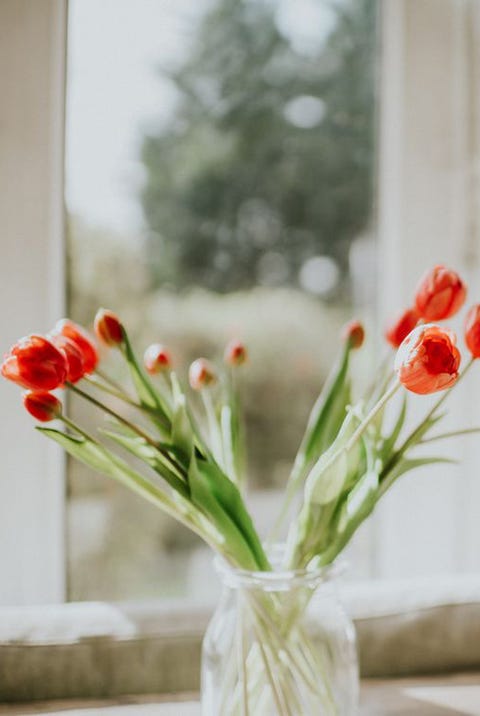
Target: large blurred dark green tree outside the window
[(268, 159)]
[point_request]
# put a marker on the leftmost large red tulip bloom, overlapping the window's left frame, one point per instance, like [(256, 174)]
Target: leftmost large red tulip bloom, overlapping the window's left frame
[(35, 363)]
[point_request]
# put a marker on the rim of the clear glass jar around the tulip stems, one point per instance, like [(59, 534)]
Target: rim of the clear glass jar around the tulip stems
[(277, 579)]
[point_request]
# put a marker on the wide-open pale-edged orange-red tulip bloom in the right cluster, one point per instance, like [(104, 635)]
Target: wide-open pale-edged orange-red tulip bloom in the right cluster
[(428, 360)]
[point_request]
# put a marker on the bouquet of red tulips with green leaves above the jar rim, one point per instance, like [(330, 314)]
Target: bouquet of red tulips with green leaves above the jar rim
[(193, 459)]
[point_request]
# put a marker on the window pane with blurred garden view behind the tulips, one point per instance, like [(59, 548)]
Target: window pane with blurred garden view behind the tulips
[(220, 159)]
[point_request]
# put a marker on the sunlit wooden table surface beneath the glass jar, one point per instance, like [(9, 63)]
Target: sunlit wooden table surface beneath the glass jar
[(423, 696)]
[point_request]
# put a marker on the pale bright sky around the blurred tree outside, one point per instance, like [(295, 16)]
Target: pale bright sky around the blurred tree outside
[(115, 91)]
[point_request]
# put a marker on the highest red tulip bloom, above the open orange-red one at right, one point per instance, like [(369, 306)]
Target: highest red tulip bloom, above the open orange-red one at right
[(440, 294)]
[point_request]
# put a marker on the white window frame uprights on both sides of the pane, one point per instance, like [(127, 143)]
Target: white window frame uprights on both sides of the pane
[(428, 141)]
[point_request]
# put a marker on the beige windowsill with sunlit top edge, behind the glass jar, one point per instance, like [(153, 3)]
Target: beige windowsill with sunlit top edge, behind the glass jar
[(95, 650)]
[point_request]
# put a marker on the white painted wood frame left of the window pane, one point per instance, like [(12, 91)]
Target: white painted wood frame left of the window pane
[(32, 88)]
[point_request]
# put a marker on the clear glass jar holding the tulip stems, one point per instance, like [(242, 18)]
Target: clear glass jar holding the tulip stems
[(279, 644)]
